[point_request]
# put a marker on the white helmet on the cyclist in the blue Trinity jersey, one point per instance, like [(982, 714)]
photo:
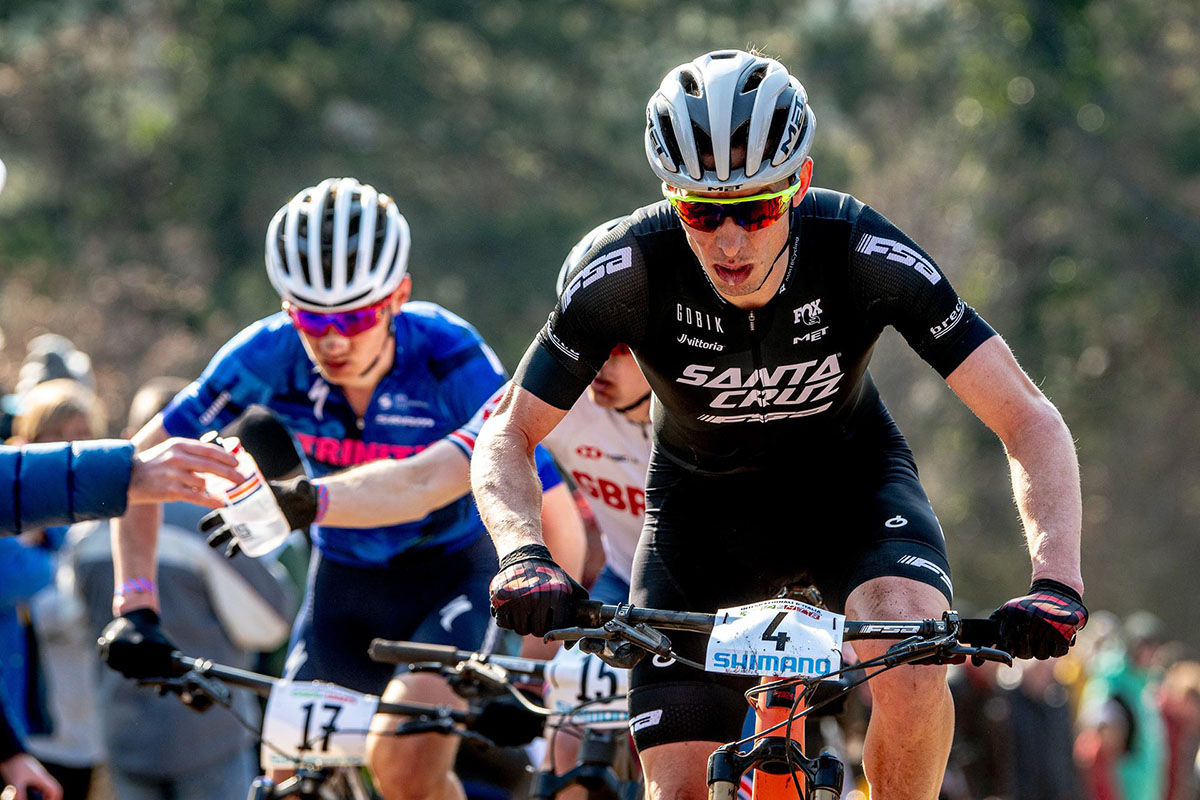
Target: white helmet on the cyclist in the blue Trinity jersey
[(338, 246)]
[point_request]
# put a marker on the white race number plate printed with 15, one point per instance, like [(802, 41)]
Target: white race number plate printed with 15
[(574, 678)]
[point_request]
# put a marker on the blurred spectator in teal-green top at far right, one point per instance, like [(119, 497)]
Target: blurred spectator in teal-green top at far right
[(1121, 745)]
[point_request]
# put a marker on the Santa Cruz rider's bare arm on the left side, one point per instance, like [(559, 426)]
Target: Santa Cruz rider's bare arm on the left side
[(503, 476)]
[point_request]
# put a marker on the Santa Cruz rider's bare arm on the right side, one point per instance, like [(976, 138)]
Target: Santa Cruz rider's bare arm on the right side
[(1041, 456)]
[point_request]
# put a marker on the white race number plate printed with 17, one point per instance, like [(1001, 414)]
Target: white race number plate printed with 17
[(317, 724)]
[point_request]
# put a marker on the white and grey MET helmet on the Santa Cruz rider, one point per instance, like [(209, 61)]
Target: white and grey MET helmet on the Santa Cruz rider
[(724, 101)]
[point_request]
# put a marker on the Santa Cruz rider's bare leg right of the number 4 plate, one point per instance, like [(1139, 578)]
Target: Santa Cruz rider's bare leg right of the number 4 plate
[(913, 718)]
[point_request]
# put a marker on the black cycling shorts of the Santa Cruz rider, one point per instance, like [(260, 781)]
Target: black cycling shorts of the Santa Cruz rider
[(719, 542)]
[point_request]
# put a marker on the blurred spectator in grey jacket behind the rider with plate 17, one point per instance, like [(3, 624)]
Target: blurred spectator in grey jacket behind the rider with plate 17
[(218, 609)]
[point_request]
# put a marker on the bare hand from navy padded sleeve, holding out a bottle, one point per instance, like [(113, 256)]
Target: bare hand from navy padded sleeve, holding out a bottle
[(175, 471)]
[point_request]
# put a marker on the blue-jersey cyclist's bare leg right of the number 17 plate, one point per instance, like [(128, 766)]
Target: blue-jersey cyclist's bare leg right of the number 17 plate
[(422, 767)]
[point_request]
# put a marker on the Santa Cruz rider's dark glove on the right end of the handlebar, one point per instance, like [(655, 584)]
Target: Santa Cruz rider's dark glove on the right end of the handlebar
[(1043, 623)]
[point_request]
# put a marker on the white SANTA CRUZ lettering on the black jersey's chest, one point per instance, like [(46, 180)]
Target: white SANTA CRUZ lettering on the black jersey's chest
[(784, 388)]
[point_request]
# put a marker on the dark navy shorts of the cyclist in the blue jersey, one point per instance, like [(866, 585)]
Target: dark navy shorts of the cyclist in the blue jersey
[(428, 596)]
